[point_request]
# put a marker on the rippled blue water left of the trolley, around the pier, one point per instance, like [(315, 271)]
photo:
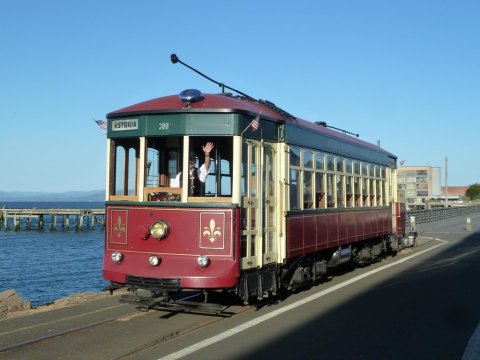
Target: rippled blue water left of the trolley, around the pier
[(43, 266)]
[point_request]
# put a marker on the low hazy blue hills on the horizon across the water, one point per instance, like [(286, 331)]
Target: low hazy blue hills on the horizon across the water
[(93, 195)]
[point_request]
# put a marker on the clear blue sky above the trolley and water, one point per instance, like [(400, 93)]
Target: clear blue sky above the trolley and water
[(402, 73)]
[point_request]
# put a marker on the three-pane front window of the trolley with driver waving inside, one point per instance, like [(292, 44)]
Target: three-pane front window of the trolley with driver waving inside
[(153, 168)]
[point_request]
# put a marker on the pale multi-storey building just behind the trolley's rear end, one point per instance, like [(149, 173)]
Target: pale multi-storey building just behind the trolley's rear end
[(421, 184)]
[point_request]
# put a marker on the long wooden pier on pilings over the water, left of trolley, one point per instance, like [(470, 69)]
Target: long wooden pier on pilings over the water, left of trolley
[(51, 219)]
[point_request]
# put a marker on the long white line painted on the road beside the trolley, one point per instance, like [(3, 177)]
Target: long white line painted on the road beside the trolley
[(207, 342)]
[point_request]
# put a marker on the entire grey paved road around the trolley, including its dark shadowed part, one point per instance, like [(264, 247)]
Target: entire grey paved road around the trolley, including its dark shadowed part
[(421, 304)]
